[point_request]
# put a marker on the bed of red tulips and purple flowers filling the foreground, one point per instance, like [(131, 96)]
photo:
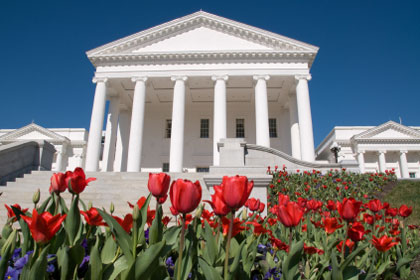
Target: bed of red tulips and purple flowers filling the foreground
[(318, 226)]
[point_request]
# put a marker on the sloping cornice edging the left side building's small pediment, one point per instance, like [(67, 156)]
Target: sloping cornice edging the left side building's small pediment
[(16, 134)]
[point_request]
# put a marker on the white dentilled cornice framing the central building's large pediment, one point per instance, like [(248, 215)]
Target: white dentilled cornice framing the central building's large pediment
[(284, 49)]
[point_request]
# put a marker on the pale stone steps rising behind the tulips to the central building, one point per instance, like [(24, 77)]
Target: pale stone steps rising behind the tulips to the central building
[(116, 187)]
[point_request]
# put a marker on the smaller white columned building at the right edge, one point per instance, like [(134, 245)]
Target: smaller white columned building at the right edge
[(376, 148)]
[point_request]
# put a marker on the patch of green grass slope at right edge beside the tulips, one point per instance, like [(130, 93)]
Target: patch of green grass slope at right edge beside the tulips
[(406, 192)]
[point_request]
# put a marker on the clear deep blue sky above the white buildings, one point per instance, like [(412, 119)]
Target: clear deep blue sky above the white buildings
[(366, 73)]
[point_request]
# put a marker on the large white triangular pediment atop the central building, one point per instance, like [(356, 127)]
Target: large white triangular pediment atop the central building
[(201, 32)]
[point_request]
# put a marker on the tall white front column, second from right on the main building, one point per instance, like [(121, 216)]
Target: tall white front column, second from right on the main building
[(261, 111)]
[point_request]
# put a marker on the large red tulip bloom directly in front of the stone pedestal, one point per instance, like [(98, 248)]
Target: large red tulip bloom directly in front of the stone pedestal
[(236, 191)]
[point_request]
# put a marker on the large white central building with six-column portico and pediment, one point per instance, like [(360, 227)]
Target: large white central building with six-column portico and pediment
[(175, 90)]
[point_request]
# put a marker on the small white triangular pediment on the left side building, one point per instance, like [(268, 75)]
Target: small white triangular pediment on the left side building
[(33, 132)]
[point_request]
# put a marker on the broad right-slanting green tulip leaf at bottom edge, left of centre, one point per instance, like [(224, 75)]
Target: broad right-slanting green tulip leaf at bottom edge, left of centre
[(145, 259)]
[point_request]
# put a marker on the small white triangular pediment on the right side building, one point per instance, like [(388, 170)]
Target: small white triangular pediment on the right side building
[(389, 130)]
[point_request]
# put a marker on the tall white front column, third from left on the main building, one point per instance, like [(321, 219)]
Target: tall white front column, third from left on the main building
[(177, 129)]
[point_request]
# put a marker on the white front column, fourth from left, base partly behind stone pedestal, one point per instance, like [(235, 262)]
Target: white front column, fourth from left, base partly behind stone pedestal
[(219, 117)]
